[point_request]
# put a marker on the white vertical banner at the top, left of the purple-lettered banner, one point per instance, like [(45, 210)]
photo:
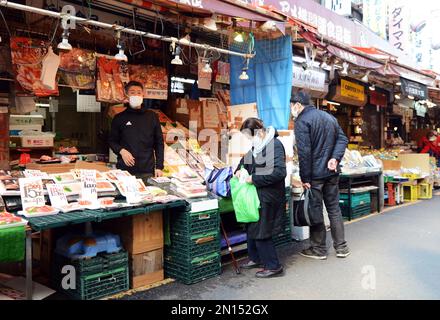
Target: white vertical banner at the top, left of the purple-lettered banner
[(374, 17)]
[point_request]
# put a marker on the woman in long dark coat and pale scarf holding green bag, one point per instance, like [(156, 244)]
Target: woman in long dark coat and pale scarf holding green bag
[(266, 165)]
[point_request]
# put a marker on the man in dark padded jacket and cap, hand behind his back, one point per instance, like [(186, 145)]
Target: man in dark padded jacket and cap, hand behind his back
[(321, 145)]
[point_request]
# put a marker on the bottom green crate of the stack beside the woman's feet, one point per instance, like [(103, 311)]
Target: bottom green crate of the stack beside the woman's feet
[(197, 270)]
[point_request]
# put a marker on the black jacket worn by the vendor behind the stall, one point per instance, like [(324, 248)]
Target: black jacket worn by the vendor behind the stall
[(140, 133)]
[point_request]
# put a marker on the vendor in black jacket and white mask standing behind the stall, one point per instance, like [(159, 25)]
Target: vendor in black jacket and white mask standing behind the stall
[(136, 136)]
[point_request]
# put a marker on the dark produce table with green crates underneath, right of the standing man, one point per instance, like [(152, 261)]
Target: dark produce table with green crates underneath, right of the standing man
[(349, 182)]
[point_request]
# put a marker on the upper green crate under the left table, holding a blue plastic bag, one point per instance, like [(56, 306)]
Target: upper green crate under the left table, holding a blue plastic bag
[(98, 264)]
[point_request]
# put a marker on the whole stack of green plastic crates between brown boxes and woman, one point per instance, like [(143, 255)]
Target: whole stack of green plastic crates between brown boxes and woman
[(194, 252)]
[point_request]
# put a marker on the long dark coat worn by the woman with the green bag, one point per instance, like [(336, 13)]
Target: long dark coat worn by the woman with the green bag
[(268, 172)]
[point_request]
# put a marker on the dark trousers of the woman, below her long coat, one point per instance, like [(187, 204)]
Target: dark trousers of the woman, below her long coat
[(263, 251)]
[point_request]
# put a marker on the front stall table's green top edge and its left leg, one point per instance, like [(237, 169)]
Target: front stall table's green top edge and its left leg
[(38, 224)]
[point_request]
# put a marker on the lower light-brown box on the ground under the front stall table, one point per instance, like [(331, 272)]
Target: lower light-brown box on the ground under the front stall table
[(146, 268)]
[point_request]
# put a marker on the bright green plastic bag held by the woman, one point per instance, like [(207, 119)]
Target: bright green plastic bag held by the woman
[(245, 200)]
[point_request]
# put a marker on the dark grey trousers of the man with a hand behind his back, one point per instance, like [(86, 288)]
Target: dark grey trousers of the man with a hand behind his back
[(328, 191)]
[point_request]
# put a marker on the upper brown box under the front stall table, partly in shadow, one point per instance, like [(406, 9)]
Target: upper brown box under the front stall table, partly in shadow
[(140, 233)]
